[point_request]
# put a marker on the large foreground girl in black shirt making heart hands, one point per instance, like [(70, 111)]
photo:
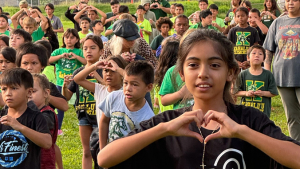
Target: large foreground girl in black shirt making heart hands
[(229, 132)]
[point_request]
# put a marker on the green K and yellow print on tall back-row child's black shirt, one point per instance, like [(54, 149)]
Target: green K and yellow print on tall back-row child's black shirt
[(242, 42)]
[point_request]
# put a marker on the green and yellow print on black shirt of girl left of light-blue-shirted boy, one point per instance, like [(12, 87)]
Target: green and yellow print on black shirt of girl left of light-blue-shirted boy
[(86, 100)]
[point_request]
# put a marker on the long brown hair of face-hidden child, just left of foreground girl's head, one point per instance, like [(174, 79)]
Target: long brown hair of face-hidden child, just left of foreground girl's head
[(166, 60)]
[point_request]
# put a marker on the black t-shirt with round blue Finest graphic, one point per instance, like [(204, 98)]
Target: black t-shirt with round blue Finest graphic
[(17, 151)]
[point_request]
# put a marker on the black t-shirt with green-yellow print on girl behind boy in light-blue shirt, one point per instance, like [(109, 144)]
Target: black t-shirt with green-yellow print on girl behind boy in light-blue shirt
[(85, 102)]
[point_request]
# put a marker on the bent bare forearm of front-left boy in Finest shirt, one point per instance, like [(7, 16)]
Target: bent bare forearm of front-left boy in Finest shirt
[(43, 140)]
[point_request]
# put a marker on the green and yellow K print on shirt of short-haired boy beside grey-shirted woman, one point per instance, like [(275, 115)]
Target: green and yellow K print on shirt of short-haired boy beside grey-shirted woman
[(256, 101)]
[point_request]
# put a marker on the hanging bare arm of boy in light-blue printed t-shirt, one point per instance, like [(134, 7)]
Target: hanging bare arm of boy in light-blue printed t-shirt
[(103, 131)]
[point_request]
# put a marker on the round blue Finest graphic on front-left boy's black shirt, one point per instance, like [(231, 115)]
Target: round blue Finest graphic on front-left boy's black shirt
[(13, 148)]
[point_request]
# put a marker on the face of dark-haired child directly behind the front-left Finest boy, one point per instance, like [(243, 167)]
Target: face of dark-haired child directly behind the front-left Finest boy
[(31, 63)]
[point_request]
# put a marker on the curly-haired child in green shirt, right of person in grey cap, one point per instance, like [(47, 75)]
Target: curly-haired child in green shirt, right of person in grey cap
[(163, 24)]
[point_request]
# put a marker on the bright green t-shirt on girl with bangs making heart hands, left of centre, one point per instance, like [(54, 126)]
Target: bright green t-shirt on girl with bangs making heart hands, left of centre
[(66, 66)]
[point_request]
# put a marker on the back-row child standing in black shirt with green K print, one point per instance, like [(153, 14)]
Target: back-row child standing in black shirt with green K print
[(243, 37)]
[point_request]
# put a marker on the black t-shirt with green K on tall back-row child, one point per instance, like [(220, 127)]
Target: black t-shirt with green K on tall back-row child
[(243, 39)]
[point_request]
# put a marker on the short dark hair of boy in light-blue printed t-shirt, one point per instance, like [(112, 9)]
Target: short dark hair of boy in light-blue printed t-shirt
[(141, 68)]
